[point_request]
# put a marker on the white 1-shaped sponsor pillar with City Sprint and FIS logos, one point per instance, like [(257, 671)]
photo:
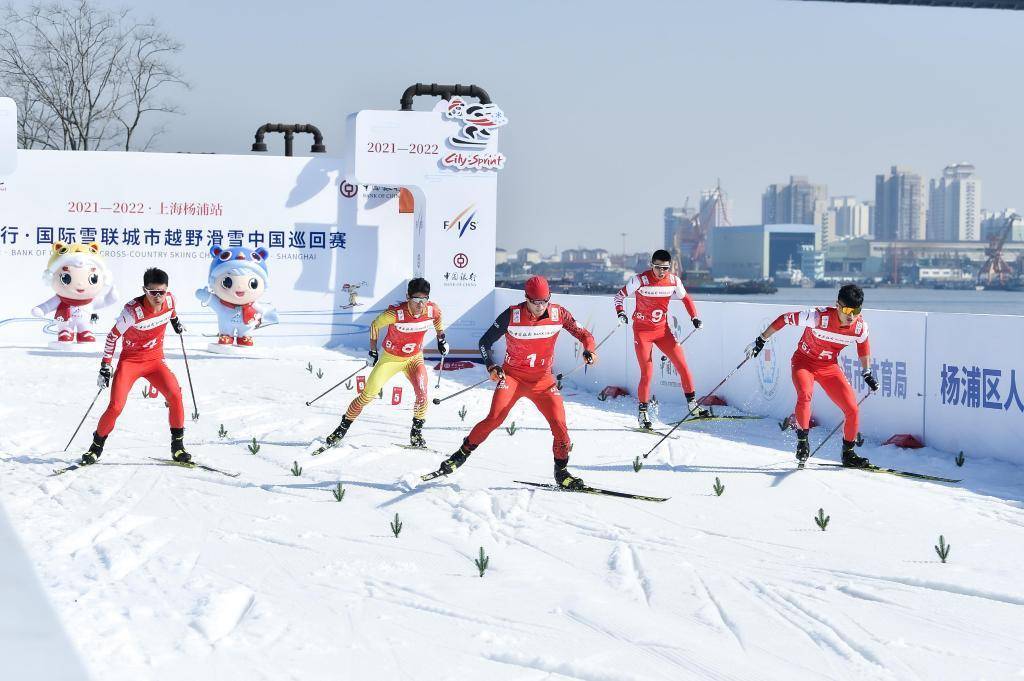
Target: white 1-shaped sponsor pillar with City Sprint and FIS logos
[(450, 167)]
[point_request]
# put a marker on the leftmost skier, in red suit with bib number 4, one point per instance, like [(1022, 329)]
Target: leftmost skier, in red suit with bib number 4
[(141, 329)]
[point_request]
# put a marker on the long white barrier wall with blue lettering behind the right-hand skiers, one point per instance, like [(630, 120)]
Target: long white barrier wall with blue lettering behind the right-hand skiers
[(955, 381)]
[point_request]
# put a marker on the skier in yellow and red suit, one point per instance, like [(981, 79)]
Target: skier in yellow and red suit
[(407, 324)]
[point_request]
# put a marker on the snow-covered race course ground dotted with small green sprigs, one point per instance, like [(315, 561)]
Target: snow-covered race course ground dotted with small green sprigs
[(163, 573)]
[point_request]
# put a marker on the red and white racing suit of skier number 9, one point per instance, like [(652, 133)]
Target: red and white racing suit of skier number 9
[(651, 326)]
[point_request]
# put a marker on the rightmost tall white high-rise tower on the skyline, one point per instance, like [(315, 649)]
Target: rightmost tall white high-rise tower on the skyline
[(955, 205)]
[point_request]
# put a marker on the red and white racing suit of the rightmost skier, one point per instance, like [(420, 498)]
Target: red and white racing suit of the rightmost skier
[(817, 359)]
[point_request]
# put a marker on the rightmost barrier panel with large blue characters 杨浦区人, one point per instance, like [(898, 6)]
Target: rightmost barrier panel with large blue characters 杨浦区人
[(975, 384)]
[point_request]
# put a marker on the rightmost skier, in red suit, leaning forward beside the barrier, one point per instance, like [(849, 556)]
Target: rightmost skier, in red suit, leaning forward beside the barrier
[(827, 332)]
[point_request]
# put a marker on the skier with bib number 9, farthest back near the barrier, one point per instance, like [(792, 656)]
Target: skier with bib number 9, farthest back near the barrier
[(653, 291)]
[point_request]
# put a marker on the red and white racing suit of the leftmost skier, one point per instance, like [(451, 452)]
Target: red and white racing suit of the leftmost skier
[(142, 334)]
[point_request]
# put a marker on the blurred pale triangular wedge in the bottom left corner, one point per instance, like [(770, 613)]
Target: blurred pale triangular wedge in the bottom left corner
[(33, 645)]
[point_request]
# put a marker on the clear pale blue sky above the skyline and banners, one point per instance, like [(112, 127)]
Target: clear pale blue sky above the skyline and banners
[(618, 110)]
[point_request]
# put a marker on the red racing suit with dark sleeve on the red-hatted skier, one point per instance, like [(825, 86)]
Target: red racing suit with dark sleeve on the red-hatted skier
[(530, 349)]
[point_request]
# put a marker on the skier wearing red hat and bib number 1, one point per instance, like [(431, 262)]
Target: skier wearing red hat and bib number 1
[(531, 330)]
